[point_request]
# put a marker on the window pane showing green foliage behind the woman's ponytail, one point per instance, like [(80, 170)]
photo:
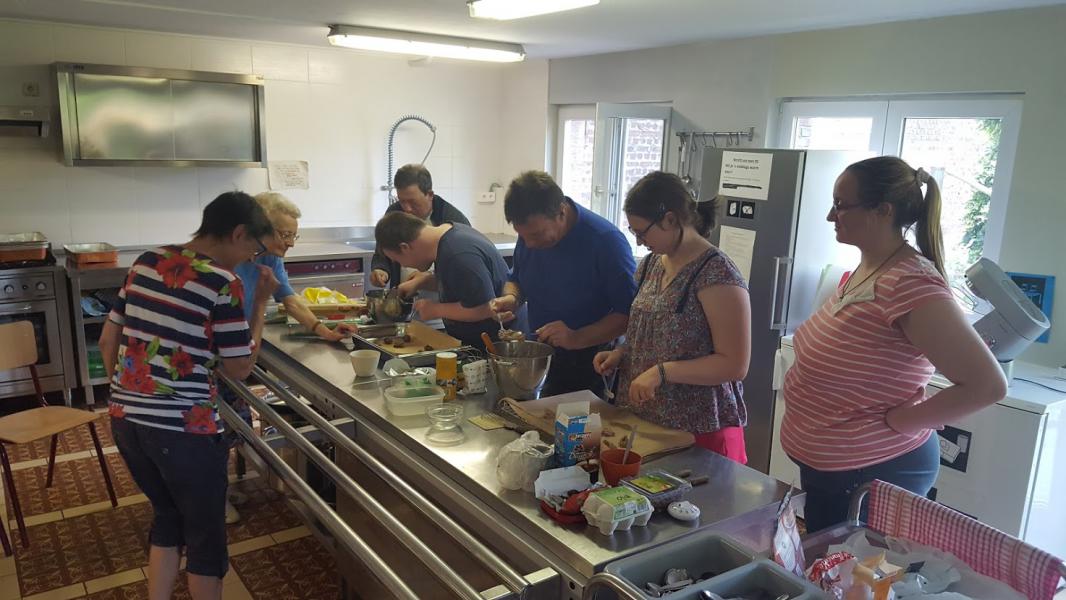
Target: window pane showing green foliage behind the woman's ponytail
[(961, 154)]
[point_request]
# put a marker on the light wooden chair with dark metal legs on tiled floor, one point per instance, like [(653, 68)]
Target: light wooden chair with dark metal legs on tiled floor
[(19, 348)]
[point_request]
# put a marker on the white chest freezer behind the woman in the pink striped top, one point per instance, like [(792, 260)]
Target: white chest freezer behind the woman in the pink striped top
[(999, 465)]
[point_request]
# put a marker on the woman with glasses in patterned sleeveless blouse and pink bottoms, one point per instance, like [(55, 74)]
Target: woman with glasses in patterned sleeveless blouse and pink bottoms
[(689, 338)]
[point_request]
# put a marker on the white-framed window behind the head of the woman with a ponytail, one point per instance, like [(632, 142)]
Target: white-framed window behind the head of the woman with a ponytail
[(966, 144)]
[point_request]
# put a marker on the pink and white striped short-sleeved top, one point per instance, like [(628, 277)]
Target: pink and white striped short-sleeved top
[(853, 365)]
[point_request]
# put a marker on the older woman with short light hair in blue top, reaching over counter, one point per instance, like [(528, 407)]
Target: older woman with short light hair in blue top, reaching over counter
[(283, 216)]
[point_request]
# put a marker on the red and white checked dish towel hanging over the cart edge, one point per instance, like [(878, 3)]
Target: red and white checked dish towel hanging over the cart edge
[(898, 513)]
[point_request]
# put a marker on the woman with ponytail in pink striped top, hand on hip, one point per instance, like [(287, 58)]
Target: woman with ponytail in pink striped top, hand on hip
[(857, 409)]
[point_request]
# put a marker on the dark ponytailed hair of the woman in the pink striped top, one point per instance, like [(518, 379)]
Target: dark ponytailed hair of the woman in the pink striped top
[(892, 181)]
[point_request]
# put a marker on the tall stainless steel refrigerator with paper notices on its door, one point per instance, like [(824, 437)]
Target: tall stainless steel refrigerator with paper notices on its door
[(772, 212)]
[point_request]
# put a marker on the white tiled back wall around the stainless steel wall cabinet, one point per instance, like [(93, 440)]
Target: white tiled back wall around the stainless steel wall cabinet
[(330, 107)]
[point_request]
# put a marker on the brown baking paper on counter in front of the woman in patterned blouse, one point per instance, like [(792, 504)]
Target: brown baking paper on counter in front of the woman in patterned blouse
[(652, 440)]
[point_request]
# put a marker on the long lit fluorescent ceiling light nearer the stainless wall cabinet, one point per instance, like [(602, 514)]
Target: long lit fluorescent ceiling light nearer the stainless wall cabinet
[(425, 44)]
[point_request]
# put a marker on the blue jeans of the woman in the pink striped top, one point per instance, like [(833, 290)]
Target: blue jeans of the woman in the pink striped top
[(830, 493)]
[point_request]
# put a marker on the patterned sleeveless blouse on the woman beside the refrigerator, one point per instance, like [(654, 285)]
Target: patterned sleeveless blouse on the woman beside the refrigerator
[(658, 333)]
